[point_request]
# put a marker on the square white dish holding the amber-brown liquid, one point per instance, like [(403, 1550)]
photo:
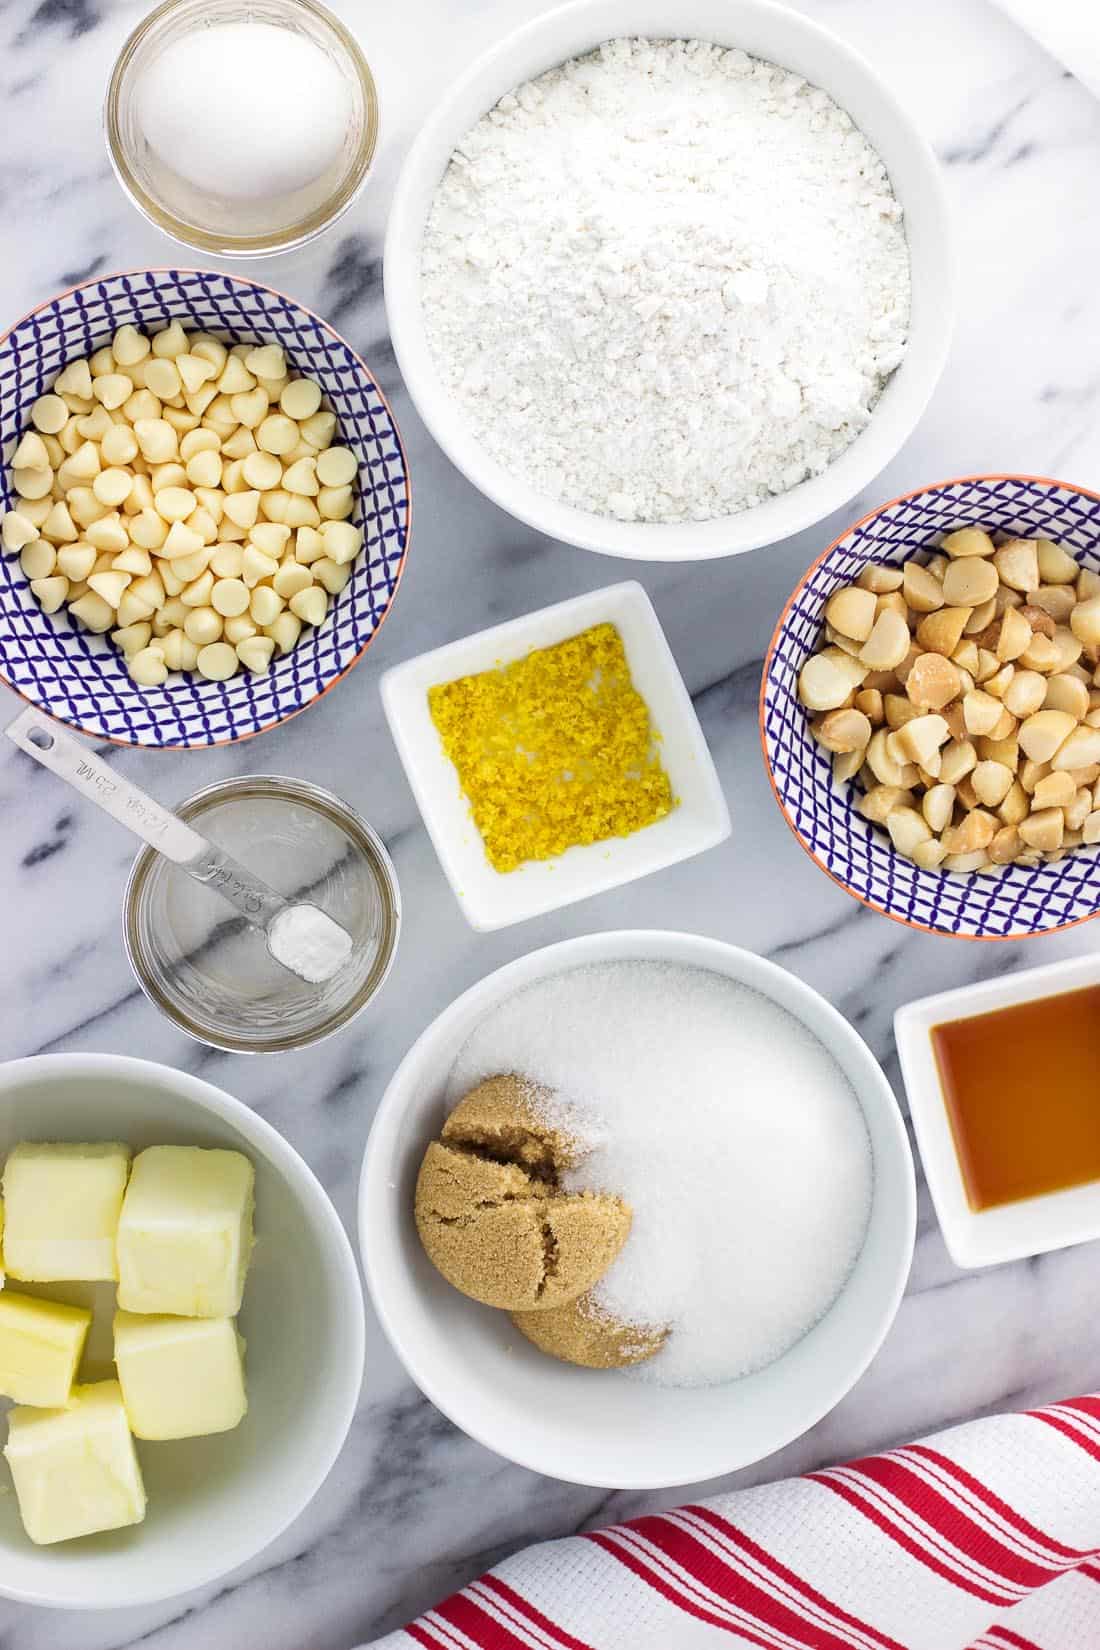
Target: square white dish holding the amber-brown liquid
[(1012, 1230)]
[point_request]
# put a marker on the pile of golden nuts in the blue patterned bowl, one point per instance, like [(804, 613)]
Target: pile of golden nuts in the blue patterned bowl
[(964, 691)]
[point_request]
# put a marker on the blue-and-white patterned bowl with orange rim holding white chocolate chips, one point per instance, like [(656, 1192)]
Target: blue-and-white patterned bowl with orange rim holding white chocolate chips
[(80, 677)]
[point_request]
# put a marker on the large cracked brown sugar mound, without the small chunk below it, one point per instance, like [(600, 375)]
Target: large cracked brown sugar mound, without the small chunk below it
[(492, 1217)]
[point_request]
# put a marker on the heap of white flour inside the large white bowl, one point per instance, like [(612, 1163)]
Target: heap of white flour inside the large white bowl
[(665, 281)]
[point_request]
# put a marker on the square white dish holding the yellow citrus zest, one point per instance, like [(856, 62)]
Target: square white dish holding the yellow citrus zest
[(491, 898)]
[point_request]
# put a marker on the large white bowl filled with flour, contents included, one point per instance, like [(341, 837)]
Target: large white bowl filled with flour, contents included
[(670, 281)]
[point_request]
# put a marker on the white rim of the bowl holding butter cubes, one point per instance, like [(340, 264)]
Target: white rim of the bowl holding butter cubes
[(304, 1182)]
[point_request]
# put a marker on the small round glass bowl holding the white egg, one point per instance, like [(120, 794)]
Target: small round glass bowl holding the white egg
[(238, 229)]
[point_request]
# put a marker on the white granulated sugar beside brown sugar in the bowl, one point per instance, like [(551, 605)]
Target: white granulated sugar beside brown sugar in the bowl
[(726, 1126)]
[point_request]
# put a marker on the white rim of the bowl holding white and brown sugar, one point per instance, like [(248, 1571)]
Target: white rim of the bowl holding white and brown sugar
[(847, 1047)]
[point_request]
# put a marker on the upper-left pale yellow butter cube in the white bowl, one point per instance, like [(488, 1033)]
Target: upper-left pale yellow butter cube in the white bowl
[(63, 1209)]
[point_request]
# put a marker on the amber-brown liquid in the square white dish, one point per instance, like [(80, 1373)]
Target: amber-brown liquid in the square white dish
[(1023, 1096)]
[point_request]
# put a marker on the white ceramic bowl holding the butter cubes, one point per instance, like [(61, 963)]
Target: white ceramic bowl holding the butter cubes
[(214, 1502)]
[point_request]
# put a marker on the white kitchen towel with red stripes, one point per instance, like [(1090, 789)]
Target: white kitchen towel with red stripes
[(980, 1539)]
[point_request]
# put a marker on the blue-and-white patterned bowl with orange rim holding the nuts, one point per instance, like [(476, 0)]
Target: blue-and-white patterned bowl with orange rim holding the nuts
[(822, 813)]
